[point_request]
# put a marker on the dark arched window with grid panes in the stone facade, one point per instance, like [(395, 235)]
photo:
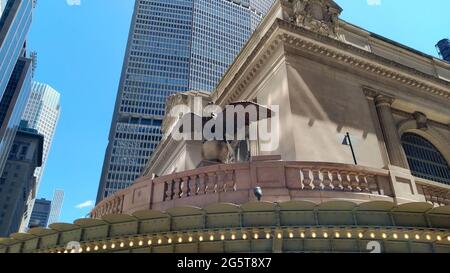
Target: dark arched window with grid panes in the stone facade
[(424, 159)]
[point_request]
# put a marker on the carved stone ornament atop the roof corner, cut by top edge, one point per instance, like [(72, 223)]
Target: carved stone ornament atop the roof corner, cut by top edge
[(321, 16)]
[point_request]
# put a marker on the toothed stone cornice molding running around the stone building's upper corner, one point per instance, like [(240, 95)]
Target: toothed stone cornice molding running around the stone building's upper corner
[(338, 51)]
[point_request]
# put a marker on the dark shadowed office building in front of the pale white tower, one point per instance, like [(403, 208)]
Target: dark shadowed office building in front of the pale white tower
[(18, 182)]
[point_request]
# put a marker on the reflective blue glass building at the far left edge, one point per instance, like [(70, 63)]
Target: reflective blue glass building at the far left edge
[(15, 69)]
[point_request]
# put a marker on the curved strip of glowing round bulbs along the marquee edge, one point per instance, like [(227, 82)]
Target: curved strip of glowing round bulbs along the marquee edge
[(133, 242)]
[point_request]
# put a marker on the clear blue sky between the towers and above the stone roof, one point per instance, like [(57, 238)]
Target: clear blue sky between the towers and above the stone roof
[(80, 53)]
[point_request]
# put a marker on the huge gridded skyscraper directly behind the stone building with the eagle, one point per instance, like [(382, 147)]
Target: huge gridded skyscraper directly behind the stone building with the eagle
[(173, 46)]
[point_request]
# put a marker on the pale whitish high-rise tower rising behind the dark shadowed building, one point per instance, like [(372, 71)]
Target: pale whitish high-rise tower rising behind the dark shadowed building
[(42, 113)]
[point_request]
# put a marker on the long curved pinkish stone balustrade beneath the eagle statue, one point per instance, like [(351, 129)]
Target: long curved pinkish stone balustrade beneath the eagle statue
[(234, 183)]
